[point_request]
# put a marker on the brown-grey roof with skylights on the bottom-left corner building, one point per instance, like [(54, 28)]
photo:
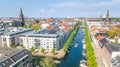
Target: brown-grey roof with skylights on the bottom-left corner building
[(8, 56)]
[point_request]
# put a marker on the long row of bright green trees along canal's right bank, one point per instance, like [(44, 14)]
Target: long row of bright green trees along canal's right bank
[(91, 60)]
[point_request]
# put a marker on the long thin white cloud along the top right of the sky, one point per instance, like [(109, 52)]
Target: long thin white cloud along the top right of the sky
[(83, 4)]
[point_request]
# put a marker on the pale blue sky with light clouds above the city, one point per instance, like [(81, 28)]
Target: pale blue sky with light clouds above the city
[(59, 8)]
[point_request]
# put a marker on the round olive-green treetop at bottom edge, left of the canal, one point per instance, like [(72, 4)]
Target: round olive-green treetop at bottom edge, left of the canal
[(47, 62)]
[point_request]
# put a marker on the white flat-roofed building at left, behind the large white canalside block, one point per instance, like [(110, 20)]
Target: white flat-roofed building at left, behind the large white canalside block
[(11, 36)]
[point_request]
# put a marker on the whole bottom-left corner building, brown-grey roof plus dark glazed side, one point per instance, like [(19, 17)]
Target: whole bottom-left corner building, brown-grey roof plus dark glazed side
[(12, 57)]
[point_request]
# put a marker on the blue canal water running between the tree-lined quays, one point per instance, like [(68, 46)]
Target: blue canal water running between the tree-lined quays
[(73, 58)]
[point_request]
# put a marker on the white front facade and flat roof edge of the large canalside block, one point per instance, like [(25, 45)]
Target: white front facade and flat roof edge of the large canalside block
[(46, 41)]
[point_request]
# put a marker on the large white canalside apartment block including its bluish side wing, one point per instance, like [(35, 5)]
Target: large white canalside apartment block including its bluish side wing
[(43, 40)]
